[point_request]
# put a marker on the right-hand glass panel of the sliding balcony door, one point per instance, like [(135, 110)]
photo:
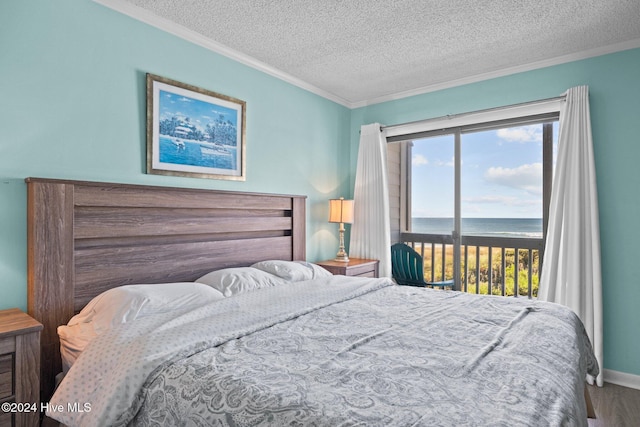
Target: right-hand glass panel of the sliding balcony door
[(501, 198)]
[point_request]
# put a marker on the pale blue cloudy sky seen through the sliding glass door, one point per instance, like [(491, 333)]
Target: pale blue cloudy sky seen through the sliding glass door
[(501, 174)]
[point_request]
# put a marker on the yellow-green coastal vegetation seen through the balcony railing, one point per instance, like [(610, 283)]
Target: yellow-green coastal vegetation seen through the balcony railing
[(492, 272)]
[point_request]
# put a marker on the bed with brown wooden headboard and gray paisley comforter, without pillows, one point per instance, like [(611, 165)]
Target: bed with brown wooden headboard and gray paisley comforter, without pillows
[(312, 350)]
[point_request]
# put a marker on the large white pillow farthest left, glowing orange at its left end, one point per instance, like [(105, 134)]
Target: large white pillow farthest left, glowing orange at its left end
[(125, 304)]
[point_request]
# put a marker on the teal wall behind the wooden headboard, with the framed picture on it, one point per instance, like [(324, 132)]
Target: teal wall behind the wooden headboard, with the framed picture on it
[(73, 106)]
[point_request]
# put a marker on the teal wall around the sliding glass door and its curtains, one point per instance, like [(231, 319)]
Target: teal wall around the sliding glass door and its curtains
[(614, 86)]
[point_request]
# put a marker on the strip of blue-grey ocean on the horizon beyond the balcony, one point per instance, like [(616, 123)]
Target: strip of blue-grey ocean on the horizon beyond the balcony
[(498, 227)]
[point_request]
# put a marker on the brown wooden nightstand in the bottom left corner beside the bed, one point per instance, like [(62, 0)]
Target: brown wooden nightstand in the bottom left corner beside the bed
[(19, 368)]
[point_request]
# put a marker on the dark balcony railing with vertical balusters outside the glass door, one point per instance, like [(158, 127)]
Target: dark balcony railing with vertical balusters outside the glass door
[(488, 265)]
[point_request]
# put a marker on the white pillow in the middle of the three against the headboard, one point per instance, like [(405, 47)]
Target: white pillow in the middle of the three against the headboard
[(232, 281)]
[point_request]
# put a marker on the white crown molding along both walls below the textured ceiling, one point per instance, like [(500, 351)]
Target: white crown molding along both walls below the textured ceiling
[(171, 27)]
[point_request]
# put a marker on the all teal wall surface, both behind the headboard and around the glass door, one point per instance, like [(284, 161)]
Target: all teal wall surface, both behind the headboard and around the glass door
[(72, 105)]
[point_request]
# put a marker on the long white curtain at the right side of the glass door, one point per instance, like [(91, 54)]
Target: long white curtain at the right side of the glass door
[(571, 269)]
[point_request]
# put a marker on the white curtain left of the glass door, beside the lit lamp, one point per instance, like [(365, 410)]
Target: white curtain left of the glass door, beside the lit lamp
[(370, 231)]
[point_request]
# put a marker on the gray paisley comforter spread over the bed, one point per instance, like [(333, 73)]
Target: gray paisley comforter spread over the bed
[(338, 352)]
